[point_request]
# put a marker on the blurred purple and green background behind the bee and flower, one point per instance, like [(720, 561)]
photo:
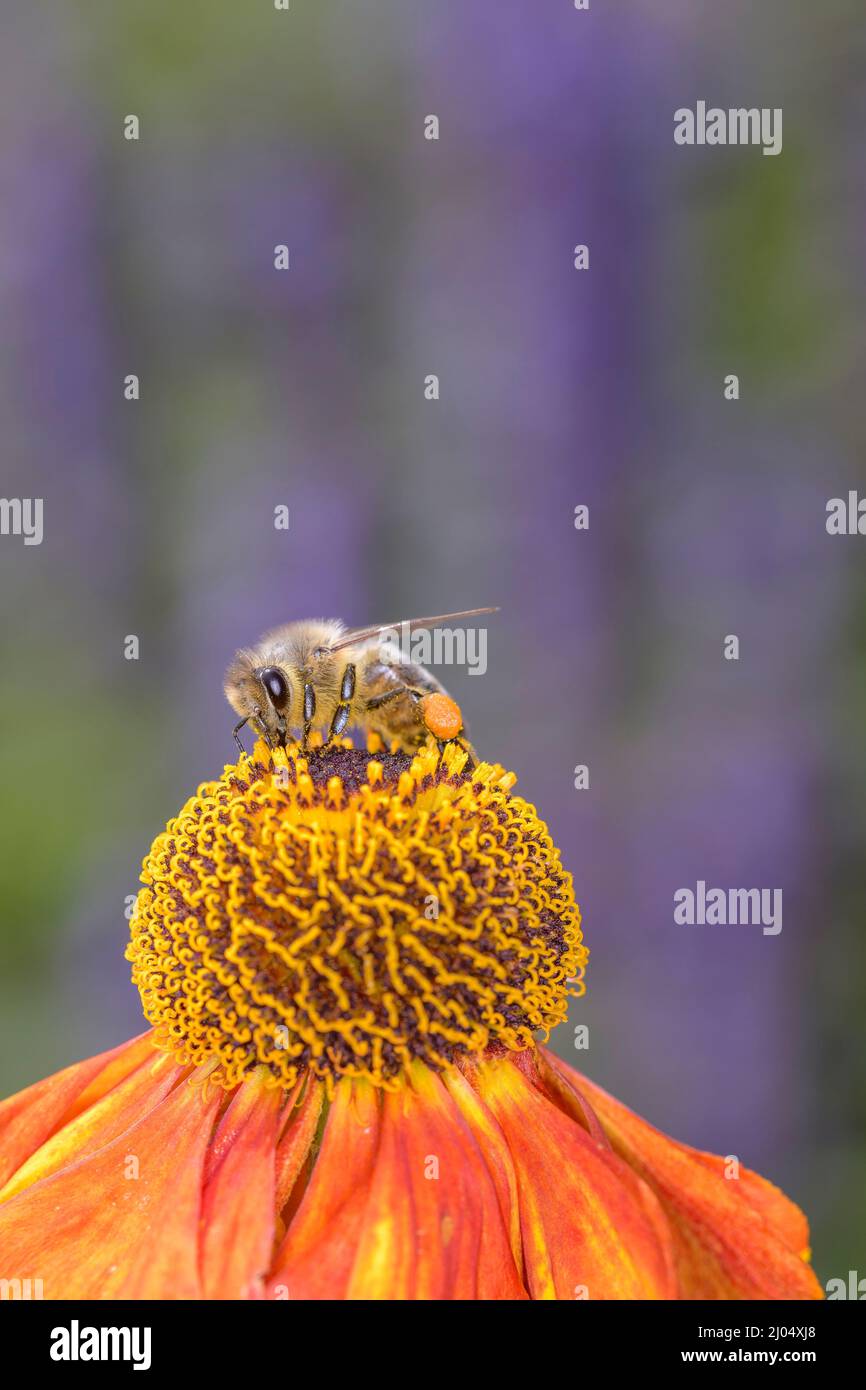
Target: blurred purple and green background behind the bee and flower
[(558, 389)]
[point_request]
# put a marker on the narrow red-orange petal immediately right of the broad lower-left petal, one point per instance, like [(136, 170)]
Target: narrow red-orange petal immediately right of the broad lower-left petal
[(238, 1202)]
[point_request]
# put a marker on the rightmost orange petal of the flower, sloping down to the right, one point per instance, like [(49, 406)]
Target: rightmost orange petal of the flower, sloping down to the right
[(733, 1238)]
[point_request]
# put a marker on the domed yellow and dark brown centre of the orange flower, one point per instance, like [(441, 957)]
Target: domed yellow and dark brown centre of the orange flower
[(347, 913)]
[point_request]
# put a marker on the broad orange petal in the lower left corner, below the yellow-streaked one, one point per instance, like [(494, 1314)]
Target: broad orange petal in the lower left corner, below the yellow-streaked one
[(95, 1231)]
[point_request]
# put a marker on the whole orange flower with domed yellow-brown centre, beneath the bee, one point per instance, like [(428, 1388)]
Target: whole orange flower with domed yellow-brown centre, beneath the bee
[(345, 958)]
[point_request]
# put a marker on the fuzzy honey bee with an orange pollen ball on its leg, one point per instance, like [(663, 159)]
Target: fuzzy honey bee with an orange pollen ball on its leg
[(316, 675)]
